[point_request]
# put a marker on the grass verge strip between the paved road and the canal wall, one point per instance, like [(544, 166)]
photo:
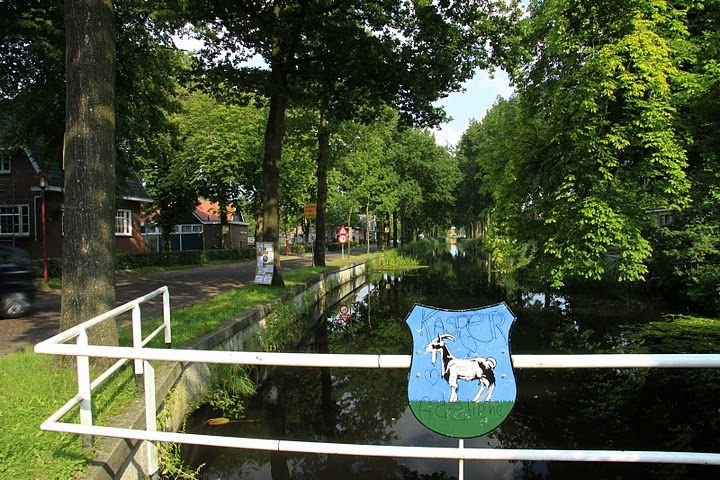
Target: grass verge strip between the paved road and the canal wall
[(27, 452)]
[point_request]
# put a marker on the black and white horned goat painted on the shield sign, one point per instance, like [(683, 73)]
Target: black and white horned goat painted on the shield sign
[(452, 368)]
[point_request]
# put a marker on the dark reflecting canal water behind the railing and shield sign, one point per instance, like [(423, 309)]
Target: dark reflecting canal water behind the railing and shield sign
[(624, 409)]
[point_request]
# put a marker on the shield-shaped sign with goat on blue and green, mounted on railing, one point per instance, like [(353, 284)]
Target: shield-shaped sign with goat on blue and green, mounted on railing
[(461, 379)]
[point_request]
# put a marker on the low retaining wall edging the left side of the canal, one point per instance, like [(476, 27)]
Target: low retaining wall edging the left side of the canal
[(183, 385)]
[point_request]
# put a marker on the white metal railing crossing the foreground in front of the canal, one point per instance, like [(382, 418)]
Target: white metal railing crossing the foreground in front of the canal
[(143, 357)]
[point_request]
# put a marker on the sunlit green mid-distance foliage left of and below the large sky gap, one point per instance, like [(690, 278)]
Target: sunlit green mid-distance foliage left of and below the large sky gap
[(385, 169)]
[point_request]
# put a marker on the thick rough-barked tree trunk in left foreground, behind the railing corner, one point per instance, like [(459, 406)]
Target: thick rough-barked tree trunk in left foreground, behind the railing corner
[(89, 163)]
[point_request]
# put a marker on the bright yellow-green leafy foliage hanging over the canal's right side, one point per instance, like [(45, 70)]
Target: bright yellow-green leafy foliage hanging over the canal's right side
[(590, 143)]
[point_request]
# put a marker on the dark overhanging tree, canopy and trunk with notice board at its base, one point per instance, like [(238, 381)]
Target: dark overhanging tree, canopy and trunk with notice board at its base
[(424, 49)]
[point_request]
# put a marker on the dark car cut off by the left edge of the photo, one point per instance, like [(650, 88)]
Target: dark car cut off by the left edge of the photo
[(16, 282)]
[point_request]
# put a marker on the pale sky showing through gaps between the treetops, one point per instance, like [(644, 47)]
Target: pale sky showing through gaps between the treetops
[(476, 98)]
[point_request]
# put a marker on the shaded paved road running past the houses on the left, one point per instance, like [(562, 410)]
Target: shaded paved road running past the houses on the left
[(187, 286)]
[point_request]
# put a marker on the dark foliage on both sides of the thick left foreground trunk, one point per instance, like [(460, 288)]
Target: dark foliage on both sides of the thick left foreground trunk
[(32, 78)]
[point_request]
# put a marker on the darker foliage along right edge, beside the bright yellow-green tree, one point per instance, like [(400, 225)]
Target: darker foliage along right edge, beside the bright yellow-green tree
[(687, 260)]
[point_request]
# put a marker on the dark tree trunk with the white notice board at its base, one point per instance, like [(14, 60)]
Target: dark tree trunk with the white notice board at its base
[(272, 162)]
